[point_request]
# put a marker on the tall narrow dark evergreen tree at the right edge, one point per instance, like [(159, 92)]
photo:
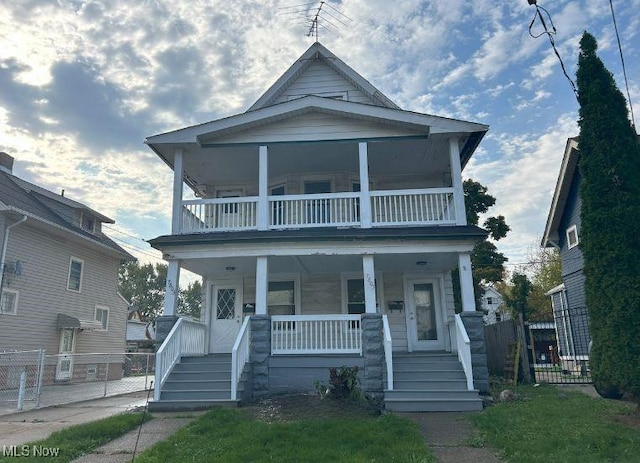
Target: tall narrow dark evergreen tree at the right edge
[(610, 193)]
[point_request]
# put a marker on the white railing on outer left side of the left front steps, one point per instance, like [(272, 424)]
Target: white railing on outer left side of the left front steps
[(187, 337)]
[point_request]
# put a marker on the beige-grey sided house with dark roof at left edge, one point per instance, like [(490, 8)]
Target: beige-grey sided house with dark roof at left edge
[(59, 281)]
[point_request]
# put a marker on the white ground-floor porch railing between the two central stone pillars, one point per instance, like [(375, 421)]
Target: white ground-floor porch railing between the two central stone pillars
[(316, 334)]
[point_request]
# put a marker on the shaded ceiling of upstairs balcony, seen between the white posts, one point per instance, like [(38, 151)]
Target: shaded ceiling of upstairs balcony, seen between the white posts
[(239, 164)]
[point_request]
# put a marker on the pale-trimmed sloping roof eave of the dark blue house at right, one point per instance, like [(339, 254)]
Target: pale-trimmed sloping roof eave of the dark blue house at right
[(561, 193)]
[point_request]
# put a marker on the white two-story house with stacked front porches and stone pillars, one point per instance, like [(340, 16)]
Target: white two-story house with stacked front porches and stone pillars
[(326, 224)]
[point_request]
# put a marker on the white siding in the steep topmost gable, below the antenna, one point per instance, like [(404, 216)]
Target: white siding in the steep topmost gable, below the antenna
[(320, 79)]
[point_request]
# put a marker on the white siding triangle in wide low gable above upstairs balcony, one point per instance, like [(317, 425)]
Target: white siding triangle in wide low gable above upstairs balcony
[(315, 126)]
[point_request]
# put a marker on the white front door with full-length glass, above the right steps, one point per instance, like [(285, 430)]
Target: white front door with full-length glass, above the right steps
[(425, 330)]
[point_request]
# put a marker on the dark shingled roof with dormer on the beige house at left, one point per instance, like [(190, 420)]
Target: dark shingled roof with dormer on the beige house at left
[(22, 197)]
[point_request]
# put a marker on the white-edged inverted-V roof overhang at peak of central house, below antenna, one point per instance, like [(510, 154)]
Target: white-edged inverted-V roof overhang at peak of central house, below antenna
[(317, 53)]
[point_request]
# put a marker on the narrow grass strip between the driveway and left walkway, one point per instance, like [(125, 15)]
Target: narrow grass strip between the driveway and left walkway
[(75, 441)]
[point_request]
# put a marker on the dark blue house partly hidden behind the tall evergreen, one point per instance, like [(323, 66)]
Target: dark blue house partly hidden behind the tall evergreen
[(563, 232)]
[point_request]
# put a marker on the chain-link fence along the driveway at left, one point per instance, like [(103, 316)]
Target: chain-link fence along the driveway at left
[(34, 379)]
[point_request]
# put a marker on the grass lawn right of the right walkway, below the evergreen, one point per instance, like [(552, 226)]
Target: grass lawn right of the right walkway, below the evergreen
[(549, 424)]
